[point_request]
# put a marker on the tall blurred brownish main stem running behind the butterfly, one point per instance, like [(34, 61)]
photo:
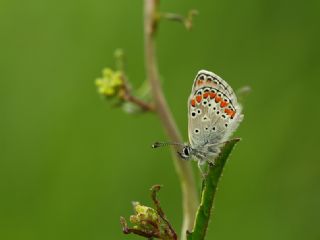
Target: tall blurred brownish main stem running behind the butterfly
[(184, 170)]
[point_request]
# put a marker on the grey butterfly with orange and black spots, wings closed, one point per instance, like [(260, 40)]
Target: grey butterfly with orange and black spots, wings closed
[(213, 115)]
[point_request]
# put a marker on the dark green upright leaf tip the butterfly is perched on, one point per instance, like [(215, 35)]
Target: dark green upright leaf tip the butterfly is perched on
[(208, 193)]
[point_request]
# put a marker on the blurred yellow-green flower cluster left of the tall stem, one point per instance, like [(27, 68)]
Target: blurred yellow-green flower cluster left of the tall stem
[(110, 83)]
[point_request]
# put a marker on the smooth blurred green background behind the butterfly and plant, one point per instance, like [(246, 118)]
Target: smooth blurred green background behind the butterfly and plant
[(70, 164)]
